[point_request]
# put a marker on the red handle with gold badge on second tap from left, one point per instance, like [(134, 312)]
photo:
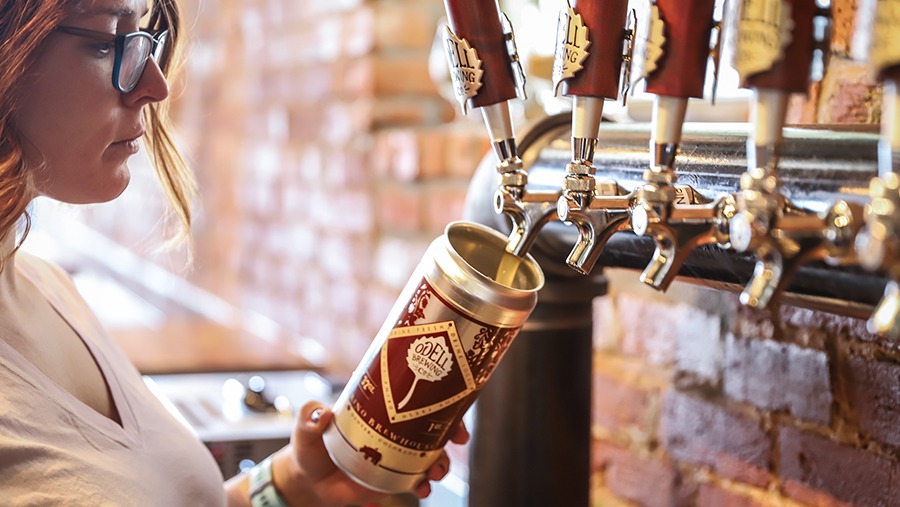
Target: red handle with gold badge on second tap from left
[(589, 57)]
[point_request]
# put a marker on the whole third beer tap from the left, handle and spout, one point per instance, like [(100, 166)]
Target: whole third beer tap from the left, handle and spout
[(675, 49)]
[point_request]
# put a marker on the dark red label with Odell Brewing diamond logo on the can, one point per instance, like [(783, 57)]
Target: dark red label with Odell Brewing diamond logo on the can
[(426, 374)]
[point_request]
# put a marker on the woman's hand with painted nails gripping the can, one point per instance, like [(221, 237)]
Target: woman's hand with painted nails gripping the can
[(305, 475)]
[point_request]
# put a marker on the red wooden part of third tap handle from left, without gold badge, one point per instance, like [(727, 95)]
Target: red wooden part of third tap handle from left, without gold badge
[(681, 71)]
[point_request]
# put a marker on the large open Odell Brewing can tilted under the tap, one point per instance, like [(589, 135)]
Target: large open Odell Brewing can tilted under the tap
[(445, 335)]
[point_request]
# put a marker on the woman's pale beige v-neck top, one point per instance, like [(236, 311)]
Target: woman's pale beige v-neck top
[(55, 450)]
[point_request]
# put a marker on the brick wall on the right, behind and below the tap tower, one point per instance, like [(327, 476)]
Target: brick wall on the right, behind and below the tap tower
[(723, 406)]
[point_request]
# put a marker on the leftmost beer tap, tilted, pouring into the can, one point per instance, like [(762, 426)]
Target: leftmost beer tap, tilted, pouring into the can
[(486, 74)]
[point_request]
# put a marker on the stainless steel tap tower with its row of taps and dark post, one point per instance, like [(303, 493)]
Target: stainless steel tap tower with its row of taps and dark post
[(774, 213)]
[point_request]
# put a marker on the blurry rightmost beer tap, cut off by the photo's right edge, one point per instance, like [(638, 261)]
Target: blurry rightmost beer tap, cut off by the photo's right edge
[(877, 245)]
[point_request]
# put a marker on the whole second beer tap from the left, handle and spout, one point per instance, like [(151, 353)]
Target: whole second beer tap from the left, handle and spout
[(587, 67)]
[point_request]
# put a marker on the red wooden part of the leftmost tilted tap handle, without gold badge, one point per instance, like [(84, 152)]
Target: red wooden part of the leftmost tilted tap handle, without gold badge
[(478, 22)]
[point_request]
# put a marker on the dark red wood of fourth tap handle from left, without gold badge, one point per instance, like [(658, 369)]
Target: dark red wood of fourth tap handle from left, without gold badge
[(791, 73)]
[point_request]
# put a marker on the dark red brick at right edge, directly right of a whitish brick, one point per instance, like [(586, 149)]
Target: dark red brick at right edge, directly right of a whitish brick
[(873, 392)]
